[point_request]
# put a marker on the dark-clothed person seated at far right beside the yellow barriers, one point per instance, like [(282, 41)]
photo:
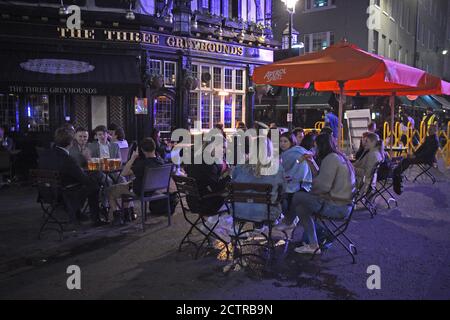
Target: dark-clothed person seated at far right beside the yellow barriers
[(426, 154)]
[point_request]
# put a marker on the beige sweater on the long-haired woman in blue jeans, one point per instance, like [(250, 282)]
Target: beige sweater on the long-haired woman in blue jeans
[(335, 180)]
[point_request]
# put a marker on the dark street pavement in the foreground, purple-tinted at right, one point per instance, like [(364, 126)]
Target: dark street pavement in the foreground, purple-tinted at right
[(410, 244)]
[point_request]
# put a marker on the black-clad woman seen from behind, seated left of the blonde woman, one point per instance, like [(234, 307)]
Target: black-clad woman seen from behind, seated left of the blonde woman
[(210, 180)]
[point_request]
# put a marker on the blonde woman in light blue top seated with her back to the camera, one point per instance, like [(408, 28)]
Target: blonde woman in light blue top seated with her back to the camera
[(258, 173)]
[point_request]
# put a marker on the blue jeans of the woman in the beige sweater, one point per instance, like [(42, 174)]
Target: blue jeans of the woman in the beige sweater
[(304, 205)]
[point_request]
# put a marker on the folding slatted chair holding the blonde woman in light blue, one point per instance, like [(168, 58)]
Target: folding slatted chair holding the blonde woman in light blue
[(252, 193)]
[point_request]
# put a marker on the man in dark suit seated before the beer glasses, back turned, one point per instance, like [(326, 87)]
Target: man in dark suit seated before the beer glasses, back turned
[(71, 173)]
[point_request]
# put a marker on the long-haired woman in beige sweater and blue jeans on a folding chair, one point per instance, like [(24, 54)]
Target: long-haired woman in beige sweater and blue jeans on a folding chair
[(331, 193)]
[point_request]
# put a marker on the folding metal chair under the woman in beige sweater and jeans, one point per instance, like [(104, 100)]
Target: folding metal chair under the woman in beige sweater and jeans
[(337, 229)]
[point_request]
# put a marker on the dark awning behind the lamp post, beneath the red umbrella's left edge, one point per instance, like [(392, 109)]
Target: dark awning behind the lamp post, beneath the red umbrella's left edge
[(302, 99)]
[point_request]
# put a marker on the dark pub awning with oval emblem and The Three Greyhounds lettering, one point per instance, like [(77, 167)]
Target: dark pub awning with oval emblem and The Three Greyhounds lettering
[(63, 73)]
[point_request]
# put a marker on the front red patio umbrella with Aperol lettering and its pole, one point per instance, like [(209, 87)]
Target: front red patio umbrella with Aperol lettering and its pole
[(343, 67)]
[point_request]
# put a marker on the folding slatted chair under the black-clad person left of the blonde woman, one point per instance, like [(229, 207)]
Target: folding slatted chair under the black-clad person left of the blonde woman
[(196, 217)]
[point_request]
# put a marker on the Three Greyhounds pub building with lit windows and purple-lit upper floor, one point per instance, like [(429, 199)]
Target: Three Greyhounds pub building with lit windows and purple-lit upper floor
[(138, 64)]
